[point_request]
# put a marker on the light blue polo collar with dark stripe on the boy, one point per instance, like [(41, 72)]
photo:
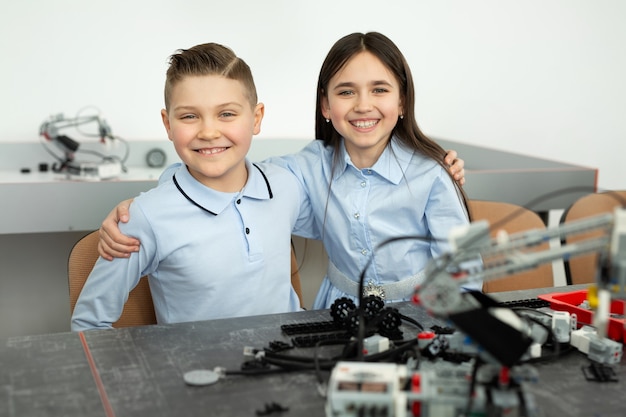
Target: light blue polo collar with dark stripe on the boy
[(257, 187)]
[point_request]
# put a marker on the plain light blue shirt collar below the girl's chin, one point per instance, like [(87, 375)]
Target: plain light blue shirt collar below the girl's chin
[(391, 165)]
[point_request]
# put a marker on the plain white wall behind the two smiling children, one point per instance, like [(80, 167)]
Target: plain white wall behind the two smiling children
[(539, 77)]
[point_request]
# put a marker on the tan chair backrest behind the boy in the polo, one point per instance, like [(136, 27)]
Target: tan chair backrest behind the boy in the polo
[(138, 310)]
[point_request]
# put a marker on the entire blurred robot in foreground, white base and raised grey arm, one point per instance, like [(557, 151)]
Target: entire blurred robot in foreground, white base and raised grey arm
[(493, 382)]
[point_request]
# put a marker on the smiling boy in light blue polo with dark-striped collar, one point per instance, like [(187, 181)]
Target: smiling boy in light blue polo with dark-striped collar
[(216, 236)]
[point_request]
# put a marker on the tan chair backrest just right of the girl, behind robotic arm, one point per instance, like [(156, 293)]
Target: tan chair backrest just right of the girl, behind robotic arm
[(512, 219)]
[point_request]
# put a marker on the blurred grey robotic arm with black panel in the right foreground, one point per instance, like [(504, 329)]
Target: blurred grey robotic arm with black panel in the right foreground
[(478, 316)]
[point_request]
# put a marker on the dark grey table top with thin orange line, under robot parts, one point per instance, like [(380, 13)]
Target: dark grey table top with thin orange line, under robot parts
[(139, 372)]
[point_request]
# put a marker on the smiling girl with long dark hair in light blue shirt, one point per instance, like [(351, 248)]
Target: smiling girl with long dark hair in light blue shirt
[(371, 176)]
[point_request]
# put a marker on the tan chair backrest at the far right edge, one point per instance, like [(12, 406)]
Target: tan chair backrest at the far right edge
[(582, 269)]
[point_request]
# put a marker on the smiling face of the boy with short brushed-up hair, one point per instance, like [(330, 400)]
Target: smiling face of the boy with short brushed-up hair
[(211, 123)]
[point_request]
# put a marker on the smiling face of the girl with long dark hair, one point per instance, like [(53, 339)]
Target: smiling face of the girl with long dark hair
[(363, 102)]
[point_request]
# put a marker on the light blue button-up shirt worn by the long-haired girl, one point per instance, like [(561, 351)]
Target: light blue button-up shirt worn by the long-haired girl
[(355, 211)]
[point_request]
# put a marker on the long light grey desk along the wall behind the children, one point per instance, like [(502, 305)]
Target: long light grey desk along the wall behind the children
[(47, 202)]
